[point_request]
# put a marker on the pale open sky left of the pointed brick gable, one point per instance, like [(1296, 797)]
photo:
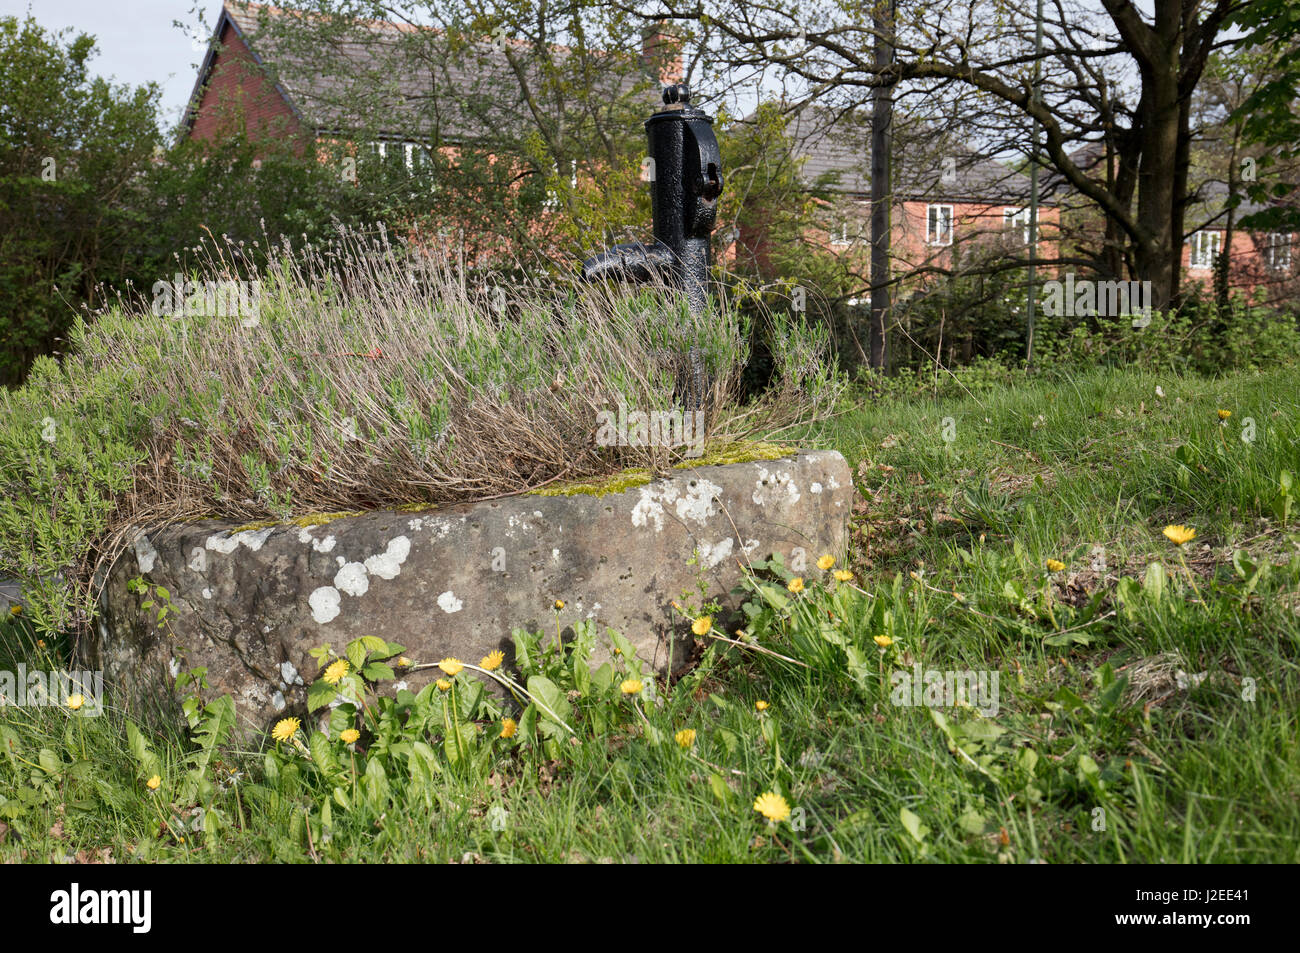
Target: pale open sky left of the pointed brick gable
[(136, 41)]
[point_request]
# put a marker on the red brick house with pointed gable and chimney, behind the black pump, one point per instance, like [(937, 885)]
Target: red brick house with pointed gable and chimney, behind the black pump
[(253, 83)]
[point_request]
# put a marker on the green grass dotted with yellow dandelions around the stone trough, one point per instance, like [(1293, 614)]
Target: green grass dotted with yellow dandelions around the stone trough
[(1093, 722)]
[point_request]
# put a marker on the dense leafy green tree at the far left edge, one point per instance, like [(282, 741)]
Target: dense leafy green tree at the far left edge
[(73, 151)]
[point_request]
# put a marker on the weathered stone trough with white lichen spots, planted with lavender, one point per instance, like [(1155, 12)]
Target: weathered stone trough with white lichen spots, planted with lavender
[(249, 604)]
